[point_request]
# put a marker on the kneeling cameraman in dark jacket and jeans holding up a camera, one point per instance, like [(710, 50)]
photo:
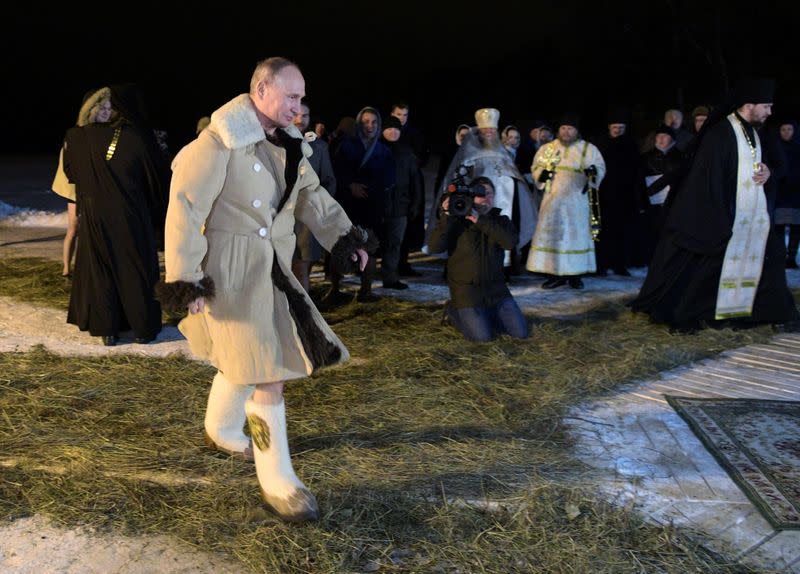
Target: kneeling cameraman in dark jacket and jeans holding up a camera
[(481, 305)]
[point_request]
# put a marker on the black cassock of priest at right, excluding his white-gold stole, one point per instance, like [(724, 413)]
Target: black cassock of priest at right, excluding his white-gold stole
[(683, 277)]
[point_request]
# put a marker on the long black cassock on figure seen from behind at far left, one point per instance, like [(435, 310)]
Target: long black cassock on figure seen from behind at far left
[(120, 200)]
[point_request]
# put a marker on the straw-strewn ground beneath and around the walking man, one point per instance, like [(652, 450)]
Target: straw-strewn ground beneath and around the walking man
[(408, 447)]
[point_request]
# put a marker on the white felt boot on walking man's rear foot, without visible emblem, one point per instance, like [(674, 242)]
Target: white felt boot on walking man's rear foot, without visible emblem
[(225, 417)]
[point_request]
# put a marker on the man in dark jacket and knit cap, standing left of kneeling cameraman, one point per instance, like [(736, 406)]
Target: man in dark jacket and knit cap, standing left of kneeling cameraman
[(403, 203)]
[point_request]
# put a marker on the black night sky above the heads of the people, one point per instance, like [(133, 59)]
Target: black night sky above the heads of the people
[(528, 59)]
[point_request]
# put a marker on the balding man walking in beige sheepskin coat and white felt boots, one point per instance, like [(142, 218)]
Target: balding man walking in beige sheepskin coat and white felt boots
[(236, 191)]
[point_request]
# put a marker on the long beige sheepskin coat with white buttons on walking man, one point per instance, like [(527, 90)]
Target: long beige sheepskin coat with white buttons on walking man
[(228, 221)]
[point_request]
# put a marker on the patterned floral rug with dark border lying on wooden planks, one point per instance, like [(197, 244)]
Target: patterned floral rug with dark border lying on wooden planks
[(758, 443)]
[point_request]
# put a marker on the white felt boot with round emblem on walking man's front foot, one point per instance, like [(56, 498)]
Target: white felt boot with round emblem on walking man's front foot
[(282, 491)]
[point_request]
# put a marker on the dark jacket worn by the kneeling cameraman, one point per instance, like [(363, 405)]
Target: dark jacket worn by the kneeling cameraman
[(475, 266)]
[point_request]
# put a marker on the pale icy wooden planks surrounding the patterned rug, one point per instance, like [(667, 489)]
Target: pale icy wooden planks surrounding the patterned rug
[(646, 455)]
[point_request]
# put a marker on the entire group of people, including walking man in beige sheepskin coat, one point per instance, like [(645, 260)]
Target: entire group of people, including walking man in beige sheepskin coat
[(259, 197)]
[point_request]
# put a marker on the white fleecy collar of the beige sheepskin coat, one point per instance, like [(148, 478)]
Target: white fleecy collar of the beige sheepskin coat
[(236, 124)]
